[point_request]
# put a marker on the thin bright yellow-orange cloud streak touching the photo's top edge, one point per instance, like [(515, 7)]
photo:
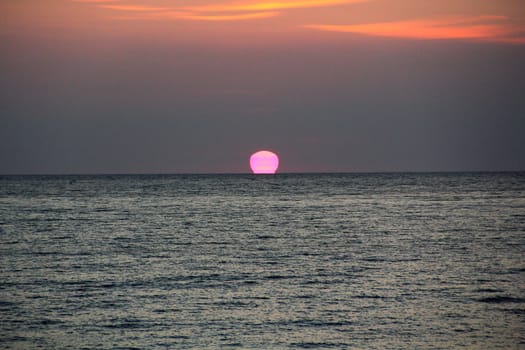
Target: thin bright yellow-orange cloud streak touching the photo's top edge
[(268, 6)]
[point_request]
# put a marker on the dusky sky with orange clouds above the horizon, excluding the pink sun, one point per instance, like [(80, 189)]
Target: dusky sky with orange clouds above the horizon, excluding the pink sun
[(197, 86)]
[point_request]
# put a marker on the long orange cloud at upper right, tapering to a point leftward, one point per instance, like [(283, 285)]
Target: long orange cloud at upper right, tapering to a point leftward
[(444, 28)]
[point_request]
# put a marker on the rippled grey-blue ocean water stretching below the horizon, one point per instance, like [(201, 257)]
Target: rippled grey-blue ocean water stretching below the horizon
[(345, 261)]
